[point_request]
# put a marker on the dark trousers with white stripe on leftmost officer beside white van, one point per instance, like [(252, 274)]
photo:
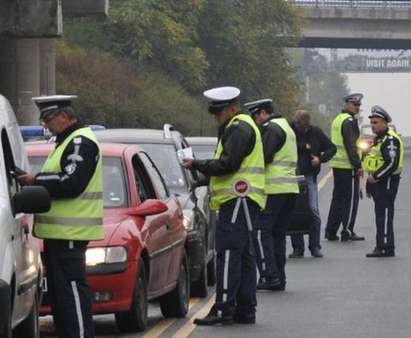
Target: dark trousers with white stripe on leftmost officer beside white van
[(68, 291)]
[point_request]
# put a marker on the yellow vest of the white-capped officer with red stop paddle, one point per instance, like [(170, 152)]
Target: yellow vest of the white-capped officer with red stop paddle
[(251, 170)]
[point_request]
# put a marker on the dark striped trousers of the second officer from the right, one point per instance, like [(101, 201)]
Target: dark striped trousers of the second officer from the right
[(344, 204)]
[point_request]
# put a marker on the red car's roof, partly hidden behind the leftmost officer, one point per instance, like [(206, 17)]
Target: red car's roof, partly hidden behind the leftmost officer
[(108, 149)]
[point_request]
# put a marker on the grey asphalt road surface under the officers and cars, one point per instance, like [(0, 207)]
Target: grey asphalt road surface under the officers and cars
[(341, 295)]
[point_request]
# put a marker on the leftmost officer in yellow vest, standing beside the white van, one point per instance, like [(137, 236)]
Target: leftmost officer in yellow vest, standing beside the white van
[(72, 174)]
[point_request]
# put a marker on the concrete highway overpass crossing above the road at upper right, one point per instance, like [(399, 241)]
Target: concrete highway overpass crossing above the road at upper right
[(355, 24)]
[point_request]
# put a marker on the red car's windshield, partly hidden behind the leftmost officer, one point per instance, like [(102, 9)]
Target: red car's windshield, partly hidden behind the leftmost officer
[(114, 183)]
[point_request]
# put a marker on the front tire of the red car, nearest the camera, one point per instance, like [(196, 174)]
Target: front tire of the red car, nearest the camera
[(135, 319)]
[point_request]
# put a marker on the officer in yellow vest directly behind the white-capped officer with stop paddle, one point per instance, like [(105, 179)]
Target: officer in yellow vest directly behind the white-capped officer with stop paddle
[(280, 157)]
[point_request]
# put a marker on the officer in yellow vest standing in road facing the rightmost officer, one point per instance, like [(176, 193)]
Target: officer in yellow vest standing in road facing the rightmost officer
[(347, 170)]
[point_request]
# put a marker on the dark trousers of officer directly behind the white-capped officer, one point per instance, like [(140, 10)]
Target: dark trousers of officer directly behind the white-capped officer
[(278, 212)]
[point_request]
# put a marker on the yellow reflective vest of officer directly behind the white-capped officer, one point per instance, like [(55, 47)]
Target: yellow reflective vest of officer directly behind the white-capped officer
[(281, 173)]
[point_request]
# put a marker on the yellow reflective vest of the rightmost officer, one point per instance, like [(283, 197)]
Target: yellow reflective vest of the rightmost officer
[(374, 160)]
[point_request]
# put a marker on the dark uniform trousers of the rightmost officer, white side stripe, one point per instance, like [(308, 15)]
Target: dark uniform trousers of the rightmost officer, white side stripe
[(384, 193)]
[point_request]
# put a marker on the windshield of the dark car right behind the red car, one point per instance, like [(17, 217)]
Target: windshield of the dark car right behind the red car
[(165, 158)]
